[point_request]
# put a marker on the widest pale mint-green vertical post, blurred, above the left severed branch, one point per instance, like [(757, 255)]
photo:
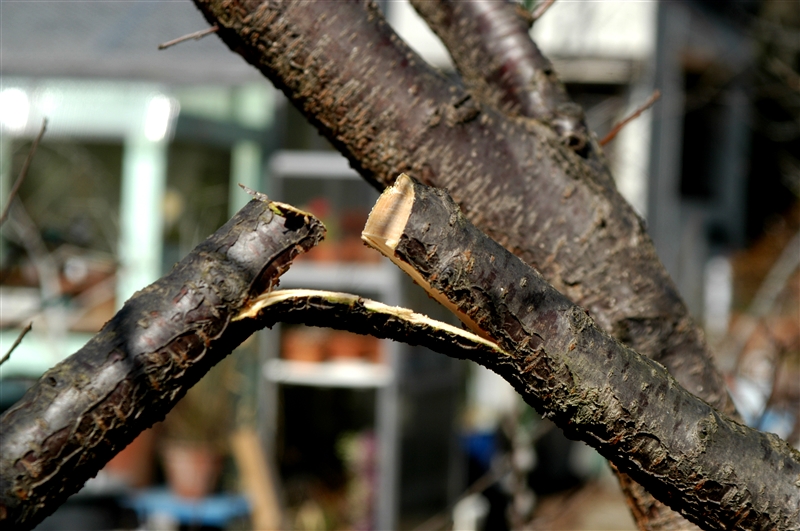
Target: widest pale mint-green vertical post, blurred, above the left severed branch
[(144, 169)]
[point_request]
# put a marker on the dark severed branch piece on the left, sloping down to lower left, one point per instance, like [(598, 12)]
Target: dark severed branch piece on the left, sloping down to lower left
[(166, 337)]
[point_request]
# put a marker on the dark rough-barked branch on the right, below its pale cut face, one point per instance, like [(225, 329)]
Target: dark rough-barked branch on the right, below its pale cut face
[(716, 472)]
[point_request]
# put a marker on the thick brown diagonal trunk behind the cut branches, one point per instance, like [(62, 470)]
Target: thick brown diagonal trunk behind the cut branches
[(387, 111)]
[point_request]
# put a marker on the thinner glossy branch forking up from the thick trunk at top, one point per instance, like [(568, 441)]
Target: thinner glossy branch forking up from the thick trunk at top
[(502, 66)]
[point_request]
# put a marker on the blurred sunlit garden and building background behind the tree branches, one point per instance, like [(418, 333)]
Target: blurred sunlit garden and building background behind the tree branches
[(306, 428)]
